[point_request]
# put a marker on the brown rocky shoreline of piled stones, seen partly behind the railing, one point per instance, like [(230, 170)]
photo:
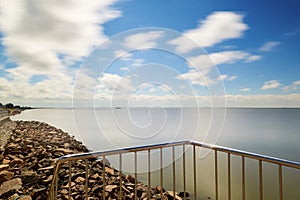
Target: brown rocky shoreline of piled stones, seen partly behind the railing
[(28, 153)]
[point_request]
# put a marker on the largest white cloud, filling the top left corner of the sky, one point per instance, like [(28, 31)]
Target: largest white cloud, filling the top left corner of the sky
[(37, 33)]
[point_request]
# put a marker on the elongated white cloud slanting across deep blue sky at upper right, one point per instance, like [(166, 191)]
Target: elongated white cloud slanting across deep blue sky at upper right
[(217, 27)]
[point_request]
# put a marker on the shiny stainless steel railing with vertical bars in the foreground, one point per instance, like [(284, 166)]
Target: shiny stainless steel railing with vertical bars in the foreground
[(216, 150)]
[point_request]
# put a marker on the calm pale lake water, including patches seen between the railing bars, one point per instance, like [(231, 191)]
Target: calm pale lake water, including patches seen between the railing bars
[(273, 132)]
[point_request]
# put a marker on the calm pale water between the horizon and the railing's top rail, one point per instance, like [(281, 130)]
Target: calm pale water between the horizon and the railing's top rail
[(274, 132)]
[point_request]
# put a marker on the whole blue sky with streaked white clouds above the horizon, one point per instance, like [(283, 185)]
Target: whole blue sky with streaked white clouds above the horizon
[(64, 53)]
